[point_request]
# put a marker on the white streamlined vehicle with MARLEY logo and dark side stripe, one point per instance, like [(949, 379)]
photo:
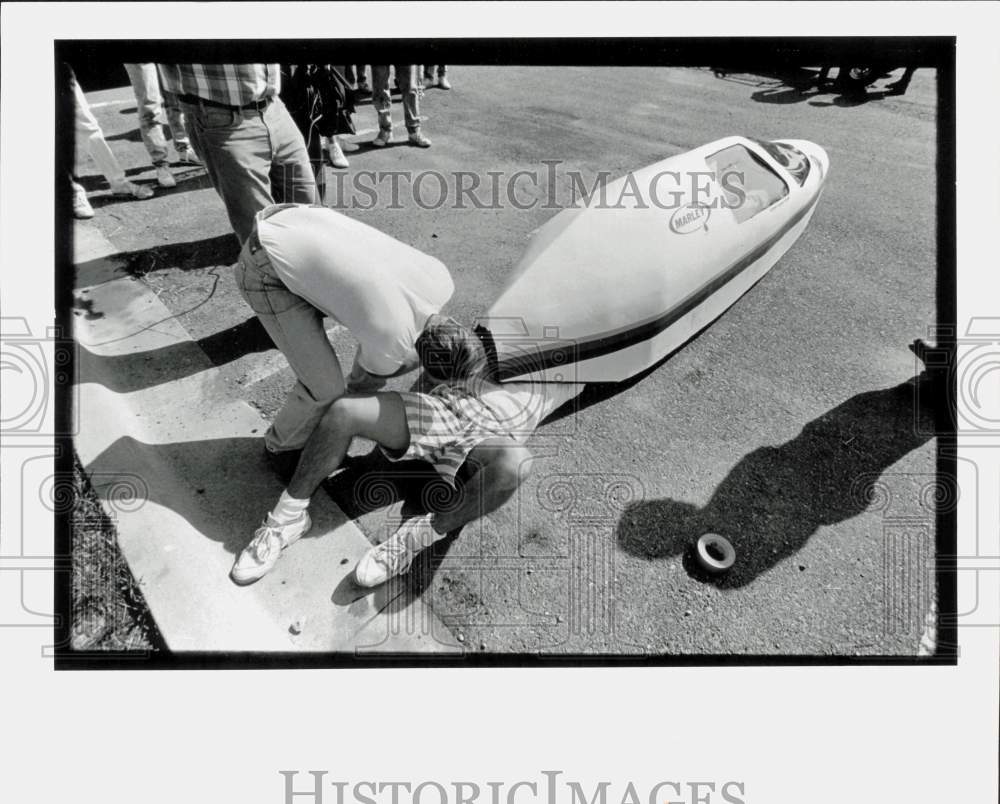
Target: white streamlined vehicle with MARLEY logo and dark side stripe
[(608, 288)]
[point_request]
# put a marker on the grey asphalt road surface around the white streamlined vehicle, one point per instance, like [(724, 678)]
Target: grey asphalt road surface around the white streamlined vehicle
[(791, 425)]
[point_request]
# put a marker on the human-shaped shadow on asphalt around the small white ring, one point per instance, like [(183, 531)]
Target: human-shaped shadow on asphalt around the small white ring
[(776, 498)]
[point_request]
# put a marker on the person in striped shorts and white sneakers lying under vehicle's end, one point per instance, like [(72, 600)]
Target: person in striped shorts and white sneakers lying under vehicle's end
[(466, 418)]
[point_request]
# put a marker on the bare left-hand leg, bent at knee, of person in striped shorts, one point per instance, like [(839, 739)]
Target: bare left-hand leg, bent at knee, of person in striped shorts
[(380, 417)]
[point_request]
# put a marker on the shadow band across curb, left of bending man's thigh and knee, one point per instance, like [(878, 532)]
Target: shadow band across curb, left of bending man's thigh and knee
[(136, 371)]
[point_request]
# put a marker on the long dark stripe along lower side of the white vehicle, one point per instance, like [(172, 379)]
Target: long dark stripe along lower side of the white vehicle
[(513, 367)]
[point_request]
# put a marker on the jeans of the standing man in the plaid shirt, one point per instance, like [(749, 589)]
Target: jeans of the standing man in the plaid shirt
[(254, 159)]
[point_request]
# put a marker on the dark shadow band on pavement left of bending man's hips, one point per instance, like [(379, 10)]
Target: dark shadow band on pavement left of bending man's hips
[(188, 256)]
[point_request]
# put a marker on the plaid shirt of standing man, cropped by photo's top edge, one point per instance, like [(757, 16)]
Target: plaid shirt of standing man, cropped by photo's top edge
[(231, 84)]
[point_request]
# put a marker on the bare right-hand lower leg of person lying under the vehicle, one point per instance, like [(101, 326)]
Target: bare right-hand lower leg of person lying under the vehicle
[(502, 466)]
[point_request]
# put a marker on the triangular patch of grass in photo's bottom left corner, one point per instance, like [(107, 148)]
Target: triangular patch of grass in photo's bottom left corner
[(107, 609)]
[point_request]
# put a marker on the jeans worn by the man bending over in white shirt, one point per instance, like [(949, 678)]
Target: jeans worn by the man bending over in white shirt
[(296, 327)]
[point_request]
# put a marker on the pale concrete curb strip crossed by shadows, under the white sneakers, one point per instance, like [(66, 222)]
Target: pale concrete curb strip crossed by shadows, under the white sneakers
[(178, 466)]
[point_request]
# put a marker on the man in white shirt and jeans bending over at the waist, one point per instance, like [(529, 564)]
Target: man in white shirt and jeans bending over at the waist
[(303, 262)]
